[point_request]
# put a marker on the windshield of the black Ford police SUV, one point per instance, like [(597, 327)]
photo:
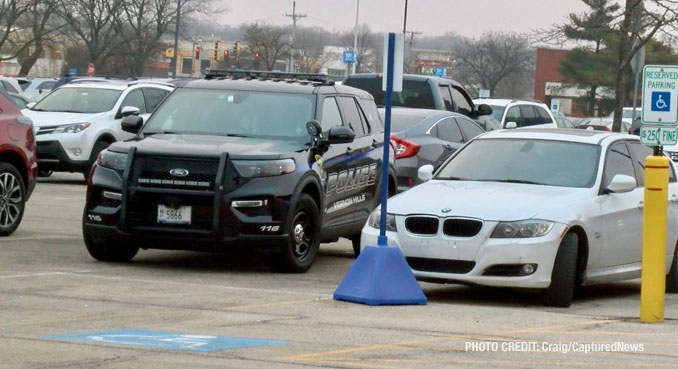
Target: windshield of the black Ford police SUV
[(234, 113)]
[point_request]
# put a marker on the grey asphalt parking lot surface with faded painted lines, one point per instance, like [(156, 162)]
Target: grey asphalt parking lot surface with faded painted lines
[(61, 309)]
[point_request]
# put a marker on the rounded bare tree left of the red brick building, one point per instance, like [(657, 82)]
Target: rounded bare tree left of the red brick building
[(493, 57)]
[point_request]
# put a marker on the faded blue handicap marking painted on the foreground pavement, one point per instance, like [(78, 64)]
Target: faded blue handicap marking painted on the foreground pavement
[(164, 340)]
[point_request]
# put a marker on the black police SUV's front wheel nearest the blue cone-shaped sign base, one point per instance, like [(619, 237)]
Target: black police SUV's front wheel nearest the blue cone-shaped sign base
[(301, 250)]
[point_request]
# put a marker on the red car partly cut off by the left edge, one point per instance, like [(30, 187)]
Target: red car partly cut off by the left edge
[(18, 165)]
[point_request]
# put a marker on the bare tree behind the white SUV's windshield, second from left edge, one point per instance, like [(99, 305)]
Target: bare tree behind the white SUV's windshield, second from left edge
[(98, 24)]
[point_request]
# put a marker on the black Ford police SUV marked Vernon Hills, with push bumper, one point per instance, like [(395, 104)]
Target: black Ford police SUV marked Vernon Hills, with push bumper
[(274, 162)]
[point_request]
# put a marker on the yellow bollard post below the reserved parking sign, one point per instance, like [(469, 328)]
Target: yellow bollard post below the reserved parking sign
[(653, 276)]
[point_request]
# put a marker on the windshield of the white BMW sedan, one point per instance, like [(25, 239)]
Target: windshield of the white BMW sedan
[(529, 161)]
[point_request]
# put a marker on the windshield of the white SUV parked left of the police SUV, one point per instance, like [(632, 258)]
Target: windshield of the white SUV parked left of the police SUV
[(79, 100)]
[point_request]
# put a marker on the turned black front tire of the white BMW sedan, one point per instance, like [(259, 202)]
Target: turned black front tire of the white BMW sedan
[(564, 274)]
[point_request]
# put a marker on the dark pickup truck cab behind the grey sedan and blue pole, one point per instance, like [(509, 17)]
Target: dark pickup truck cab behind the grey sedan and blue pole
[(422, 92)]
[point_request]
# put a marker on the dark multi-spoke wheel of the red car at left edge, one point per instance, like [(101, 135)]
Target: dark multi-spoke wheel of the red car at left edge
[(12, 199)]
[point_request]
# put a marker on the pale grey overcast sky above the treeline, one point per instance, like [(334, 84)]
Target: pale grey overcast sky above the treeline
[(432, 17)]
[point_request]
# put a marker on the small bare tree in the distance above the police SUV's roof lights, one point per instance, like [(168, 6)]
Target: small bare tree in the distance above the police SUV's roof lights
[(267, 40)]
